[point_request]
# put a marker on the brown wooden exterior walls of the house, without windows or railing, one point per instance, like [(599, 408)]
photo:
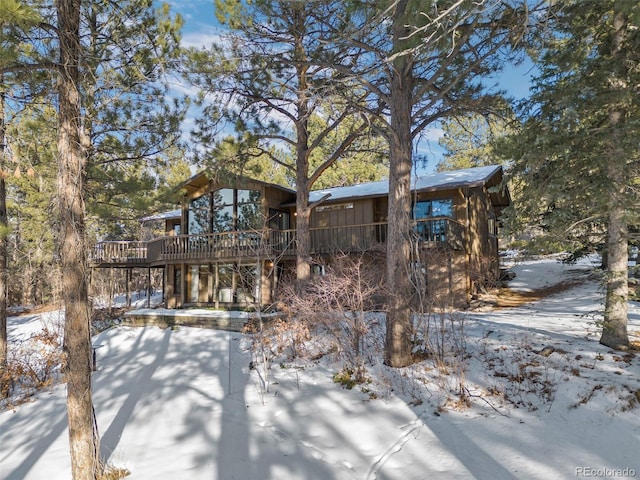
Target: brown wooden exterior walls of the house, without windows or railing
[(454, 272)]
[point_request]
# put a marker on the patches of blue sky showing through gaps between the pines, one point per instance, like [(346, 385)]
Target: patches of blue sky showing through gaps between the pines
[(201, 28)]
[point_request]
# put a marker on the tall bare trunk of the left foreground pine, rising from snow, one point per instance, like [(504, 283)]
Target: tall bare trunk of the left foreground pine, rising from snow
[(83, 437)]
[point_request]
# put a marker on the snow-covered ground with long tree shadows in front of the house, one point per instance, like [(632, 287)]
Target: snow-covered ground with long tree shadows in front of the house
[(184, 404)]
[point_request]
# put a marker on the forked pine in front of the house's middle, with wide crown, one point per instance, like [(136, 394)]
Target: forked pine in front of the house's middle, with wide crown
[(270, 76)]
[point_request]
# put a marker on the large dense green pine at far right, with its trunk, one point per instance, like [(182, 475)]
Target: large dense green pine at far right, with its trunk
[(578, 155)]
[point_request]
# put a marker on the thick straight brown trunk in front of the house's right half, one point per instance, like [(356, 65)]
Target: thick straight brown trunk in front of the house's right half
[(399, 323)]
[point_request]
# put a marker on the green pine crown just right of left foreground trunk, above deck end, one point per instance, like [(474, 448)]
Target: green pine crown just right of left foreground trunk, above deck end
[(129, 121)]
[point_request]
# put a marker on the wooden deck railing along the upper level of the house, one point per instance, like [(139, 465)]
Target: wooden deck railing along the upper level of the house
[(271, 243)]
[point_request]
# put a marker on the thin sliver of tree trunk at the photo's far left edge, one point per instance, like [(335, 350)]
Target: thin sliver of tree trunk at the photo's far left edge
[(4, 381)]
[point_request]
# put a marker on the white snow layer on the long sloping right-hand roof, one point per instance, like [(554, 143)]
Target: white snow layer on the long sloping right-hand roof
[(434, 181)]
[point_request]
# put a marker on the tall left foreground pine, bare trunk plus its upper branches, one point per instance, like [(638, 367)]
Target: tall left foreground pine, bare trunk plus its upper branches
[(110, 112)]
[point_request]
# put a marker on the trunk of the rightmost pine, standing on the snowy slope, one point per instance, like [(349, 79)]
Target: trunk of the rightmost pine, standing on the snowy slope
[(614, 328)]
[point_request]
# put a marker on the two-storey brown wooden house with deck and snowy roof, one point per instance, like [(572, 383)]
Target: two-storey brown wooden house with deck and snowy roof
[(234, 238)]
